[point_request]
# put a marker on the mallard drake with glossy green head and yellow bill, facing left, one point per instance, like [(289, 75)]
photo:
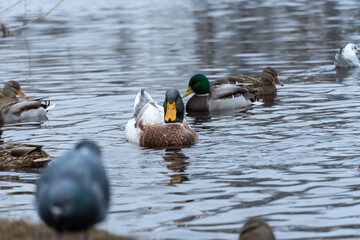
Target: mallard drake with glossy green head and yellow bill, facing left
[(219, 96)]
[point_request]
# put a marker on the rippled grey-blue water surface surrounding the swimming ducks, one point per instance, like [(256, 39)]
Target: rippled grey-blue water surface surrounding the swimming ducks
[(292, 161)]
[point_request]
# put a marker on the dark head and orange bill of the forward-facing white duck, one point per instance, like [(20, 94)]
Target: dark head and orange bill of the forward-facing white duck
[(173, 107)]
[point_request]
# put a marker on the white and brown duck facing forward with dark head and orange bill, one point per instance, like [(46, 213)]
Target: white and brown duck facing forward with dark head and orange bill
[(156, 126)]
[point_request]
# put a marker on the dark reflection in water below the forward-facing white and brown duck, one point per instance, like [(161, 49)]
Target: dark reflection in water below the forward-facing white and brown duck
[(178, 164)]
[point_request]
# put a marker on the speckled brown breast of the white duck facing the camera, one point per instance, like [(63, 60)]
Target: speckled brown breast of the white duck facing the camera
[(168, 135)]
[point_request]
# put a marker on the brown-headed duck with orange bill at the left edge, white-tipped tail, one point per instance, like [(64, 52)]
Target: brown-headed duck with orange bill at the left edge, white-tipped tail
[(12, 110)]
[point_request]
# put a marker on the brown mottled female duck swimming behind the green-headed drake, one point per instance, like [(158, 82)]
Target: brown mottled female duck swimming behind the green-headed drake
[(260, 87)]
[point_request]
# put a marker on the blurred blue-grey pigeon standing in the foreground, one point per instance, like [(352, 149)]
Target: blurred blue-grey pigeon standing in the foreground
[(73, 191)]
